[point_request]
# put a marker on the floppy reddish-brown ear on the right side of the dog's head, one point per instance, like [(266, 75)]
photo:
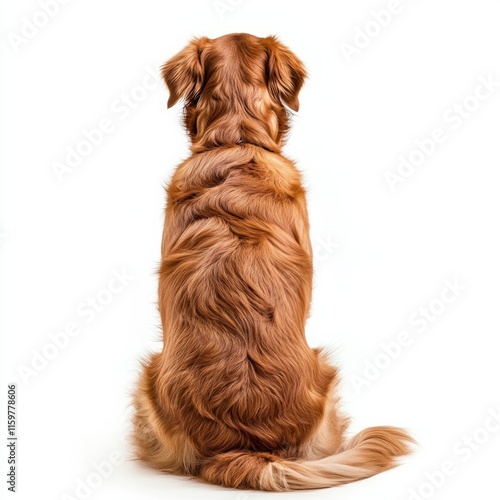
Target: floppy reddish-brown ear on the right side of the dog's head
[(285, 73)]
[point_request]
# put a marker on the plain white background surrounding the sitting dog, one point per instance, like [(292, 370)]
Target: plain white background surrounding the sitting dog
[(393, 251)]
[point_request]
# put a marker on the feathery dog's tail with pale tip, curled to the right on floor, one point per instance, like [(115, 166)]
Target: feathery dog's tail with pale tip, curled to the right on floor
[(371, 451)]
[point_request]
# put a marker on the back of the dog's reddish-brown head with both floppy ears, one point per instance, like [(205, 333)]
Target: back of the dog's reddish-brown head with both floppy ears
[(236, 88)]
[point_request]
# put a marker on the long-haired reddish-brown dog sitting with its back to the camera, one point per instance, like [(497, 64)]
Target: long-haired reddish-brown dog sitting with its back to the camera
[(237, 397)]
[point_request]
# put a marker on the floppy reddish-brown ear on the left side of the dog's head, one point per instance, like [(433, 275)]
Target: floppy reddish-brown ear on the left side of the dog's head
[(184, 73)]
